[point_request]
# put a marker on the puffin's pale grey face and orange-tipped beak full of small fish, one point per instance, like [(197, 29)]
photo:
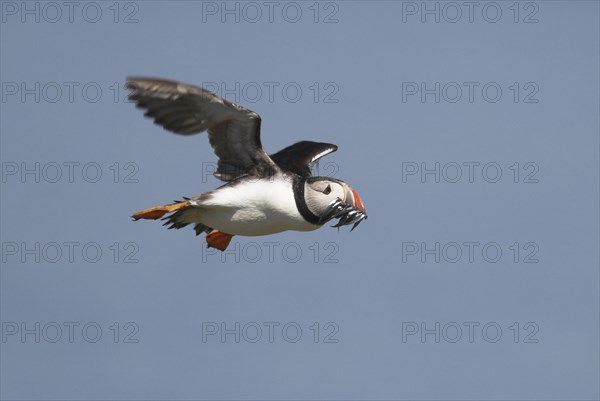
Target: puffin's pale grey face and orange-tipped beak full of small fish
[(328, 198)]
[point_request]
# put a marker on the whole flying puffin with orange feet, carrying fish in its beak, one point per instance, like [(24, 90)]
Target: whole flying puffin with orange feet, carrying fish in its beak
[(264, 194)]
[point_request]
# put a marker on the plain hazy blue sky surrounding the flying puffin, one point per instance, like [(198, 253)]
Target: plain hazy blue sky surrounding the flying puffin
[(470, 132)]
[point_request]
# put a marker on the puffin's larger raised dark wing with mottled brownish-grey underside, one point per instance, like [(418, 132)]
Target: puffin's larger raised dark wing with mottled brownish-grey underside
[(234, 131)]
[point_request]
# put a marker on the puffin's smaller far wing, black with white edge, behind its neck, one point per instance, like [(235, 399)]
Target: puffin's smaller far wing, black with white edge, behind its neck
[(298, 158)]
